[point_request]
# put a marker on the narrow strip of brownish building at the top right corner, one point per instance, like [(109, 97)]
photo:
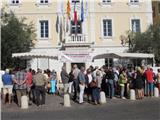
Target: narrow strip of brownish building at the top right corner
[(156, 12)]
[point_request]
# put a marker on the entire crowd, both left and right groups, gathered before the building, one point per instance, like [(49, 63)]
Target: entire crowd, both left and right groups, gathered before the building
[(79, 83)]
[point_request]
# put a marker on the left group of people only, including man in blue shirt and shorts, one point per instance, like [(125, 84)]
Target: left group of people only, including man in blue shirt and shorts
[(28, 82)]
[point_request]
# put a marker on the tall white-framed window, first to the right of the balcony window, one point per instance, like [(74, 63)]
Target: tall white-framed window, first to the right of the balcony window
[(107, 28)]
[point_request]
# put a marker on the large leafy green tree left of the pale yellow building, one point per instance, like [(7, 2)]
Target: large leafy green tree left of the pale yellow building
[(16, 36)]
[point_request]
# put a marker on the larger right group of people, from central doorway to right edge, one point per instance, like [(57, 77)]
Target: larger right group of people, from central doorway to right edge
[(115, 82)]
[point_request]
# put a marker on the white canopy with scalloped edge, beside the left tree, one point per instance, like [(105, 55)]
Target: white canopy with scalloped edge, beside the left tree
[(30, 55)]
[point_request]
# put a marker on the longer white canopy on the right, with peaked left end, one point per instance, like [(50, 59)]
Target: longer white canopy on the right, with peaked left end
[(123, 55)]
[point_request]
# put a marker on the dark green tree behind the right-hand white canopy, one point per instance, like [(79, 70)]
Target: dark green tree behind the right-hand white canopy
[(147, 42)]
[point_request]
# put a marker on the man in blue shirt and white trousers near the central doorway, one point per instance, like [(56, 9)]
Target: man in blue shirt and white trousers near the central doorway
[(82, 81)]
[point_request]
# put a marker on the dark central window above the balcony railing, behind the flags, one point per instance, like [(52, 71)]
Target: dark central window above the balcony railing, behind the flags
[(76, 29)]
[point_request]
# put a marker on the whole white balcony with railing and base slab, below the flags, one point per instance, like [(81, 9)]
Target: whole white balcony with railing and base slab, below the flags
[(76, 40)]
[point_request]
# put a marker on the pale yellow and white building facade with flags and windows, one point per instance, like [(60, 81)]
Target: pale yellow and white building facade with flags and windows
[(104, 22)]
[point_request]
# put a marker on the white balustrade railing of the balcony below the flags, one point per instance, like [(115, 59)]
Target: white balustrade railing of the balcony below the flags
[(78, 38)]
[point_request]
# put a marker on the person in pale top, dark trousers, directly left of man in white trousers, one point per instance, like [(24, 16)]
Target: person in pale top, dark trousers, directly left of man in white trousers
[(75, 81)]
